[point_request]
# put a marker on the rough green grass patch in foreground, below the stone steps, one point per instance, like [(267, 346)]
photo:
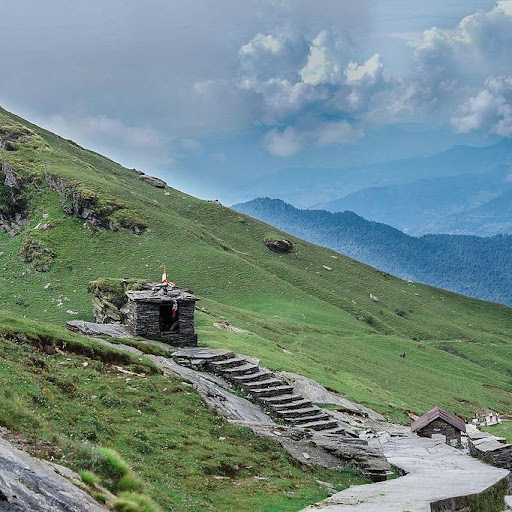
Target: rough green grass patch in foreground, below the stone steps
[(148, 436)]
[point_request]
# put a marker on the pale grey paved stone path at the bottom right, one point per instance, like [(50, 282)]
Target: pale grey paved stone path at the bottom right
[(435, 473)]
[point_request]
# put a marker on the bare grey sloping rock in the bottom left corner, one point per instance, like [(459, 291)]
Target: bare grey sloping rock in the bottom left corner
[(28, 484)]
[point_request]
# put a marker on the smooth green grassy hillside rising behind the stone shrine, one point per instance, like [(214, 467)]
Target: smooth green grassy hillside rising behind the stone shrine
[(326, 318)]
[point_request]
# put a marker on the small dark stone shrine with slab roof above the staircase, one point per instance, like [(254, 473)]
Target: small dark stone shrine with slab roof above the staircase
[(162, 312)]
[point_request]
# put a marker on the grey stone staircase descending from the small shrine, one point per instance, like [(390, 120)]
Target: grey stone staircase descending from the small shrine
[(275, 394)]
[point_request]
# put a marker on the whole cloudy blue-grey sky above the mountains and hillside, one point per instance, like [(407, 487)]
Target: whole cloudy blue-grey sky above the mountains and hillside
[(217, 96)]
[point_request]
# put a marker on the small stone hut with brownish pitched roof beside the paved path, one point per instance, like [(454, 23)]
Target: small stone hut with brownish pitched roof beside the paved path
[(439, 422)]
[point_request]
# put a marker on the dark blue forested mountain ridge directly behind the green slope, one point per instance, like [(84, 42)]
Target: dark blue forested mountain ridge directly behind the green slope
[(470, 265)]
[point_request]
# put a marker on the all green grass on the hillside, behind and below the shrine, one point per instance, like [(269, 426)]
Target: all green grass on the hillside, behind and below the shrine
[(309, 312)]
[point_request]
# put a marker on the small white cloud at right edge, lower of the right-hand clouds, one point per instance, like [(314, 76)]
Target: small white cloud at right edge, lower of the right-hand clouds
[(490, 109)]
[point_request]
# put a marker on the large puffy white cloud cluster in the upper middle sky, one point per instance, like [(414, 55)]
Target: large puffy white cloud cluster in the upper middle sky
[(291, 82)]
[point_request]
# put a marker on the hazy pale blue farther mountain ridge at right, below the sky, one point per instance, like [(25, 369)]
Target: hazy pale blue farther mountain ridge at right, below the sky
[(464, 204)]
